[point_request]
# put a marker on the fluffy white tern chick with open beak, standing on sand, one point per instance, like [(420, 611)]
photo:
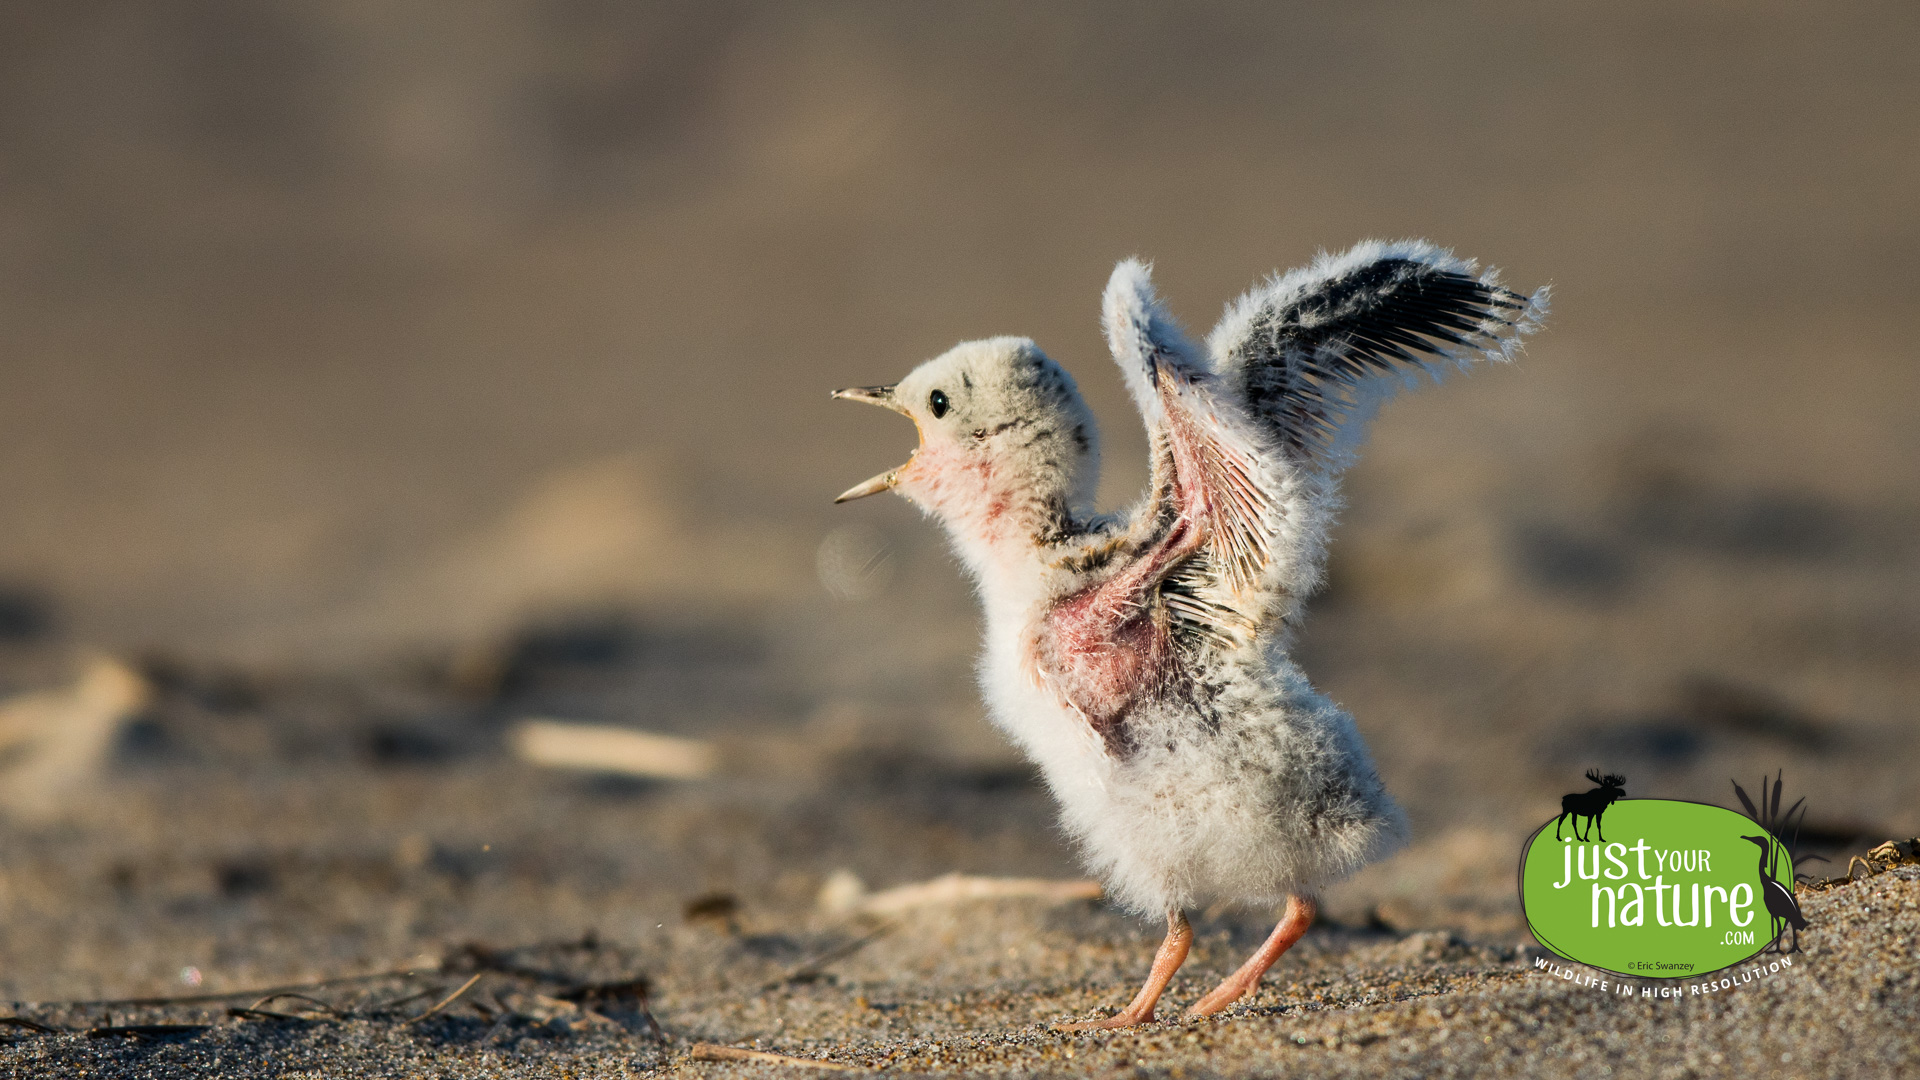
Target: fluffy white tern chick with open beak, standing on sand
[(1141, 658)]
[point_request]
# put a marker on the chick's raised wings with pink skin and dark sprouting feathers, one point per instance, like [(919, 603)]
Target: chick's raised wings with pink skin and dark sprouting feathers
[(1249, 435)]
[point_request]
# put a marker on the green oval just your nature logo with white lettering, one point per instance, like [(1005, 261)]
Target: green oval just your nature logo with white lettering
[(1673, 891)]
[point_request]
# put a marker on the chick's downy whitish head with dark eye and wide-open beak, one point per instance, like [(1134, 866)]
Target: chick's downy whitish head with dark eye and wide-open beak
[(1007, 453)]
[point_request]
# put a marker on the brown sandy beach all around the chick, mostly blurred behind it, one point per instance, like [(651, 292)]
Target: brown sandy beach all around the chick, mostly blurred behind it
[(381, 380)]
